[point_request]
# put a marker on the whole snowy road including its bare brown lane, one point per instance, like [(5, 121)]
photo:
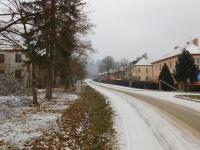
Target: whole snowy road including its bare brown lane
[(148, 120)]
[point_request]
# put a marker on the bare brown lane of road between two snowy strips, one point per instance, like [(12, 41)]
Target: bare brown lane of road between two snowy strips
[(187, 117)]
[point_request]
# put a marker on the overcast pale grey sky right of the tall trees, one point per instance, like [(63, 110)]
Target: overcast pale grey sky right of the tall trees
[(129, 28)]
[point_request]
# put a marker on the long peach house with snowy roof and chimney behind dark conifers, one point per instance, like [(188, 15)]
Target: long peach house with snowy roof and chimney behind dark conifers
[(171, 58)]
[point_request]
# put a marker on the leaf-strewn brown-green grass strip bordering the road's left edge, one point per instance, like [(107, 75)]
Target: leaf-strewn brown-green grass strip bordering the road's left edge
[(89, 122)]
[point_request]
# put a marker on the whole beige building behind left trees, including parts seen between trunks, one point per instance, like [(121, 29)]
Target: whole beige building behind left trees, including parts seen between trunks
[(12, 63)]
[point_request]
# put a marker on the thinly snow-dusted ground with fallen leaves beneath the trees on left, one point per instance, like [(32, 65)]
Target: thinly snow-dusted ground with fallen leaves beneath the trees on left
[(20, 122)]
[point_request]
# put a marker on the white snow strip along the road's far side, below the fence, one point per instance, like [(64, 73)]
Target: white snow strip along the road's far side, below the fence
[(167, 96)]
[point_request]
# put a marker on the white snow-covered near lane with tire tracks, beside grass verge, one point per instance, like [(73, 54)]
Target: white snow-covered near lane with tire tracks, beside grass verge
[(143, 126)]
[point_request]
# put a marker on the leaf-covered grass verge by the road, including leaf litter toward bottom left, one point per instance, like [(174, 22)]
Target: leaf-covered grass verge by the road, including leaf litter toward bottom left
[(87, 124)]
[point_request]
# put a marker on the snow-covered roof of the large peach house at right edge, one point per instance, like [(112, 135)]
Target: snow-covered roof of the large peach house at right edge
[(193, 49)]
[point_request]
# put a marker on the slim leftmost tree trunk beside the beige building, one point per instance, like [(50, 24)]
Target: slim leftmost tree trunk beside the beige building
[(34, 83)]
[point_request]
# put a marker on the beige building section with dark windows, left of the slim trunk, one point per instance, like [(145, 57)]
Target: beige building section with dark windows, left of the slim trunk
[(11, 64)]
